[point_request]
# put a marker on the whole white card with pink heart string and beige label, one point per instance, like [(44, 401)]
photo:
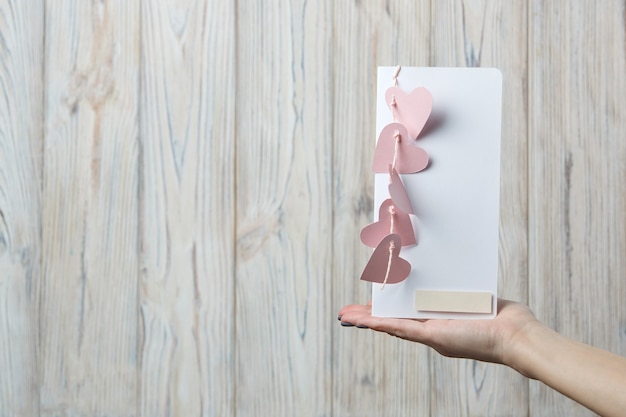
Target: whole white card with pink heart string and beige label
[(437, 163)]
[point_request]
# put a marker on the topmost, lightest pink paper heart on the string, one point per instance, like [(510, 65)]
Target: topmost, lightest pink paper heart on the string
[(412, 109)]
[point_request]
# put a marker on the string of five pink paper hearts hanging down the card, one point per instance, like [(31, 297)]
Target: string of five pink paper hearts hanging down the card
[(396, 154)]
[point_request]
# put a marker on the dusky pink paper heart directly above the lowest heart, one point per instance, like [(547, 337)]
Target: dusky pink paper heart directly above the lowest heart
[(373, 233)]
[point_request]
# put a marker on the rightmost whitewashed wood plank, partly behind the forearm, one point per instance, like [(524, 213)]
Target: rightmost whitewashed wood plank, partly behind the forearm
[(577, 178)]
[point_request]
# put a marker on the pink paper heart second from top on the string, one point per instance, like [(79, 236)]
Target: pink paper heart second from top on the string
[(410, 158)]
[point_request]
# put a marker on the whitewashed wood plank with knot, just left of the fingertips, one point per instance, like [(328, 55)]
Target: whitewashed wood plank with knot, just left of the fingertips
[(284, 208)]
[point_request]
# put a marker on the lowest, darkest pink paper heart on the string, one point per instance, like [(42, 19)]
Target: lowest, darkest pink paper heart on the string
[(376, 268)]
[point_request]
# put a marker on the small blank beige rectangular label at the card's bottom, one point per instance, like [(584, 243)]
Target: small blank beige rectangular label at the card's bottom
[(453, 301)]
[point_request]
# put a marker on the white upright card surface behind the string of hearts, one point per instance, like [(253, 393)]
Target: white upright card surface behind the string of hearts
[(454, 266)]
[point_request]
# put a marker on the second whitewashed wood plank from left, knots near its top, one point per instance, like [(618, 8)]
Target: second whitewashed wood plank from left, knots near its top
[(90, 210)]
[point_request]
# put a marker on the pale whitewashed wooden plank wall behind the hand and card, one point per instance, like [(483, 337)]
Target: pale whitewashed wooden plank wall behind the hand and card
[(182, 184)]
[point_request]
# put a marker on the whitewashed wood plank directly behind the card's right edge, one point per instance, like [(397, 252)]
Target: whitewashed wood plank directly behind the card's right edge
[(491, 34)]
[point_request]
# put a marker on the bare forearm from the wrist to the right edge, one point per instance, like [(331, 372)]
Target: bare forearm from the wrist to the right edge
[(593, 377)]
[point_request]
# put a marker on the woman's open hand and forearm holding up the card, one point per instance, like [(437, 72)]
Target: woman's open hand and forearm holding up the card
[(593, 377)]
